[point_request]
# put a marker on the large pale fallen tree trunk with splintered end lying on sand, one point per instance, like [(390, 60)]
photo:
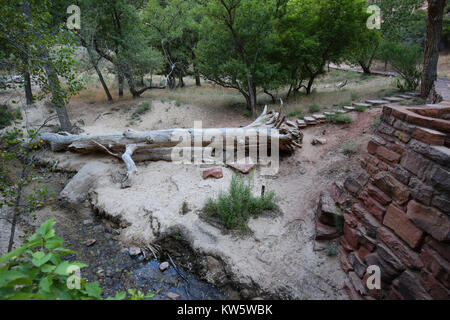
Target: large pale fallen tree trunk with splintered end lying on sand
[(157, 145)]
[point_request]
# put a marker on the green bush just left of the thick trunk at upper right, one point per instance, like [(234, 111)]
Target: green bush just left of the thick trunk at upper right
[(406, 59)]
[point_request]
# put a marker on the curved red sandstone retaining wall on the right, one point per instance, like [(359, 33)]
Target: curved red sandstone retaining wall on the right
[(396, 209)]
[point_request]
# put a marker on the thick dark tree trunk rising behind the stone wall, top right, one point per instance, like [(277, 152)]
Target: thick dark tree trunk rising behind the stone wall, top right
[(434, 31)]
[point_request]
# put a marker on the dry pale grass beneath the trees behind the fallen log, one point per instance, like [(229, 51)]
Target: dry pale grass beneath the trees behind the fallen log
[(325, 94)]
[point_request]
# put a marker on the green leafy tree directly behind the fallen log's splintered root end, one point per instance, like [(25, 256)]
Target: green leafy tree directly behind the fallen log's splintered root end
[(236, 39)]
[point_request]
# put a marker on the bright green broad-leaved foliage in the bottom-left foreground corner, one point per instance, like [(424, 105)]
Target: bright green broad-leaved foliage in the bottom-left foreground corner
[(37, 271)]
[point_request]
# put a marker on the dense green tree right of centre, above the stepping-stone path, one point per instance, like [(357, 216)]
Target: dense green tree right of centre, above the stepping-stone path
[(314, 33)]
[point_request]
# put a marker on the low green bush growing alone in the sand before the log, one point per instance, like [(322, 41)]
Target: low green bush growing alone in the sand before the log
[(235, 207)]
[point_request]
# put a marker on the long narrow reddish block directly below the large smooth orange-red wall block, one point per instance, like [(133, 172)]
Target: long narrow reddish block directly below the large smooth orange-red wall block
[(403, 252)]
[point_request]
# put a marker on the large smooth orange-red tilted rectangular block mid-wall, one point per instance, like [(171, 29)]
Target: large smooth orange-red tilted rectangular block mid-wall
[(398, 221)]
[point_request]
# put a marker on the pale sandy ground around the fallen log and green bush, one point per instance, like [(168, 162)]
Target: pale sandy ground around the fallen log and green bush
[(278, 258)]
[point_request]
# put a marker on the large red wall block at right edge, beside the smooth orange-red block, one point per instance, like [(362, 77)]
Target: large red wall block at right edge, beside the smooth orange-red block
[(430, 219)]
